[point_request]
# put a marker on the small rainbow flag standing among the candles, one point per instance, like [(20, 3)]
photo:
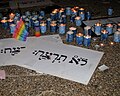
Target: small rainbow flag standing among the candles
[(20, 32)]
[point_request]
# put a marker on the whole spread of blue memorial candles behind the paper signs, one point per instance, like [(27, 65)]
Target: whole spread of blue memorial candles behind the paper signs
[(57, 23)]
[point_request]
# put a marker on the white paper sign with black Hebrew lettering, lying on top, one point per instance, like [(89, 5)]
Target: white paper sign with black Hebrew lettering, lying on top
[(65, 61)]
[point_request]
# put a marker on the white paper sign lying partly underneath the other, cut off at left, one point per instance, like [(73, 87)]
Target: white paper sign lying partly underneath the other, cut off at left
[(10, 47)]
